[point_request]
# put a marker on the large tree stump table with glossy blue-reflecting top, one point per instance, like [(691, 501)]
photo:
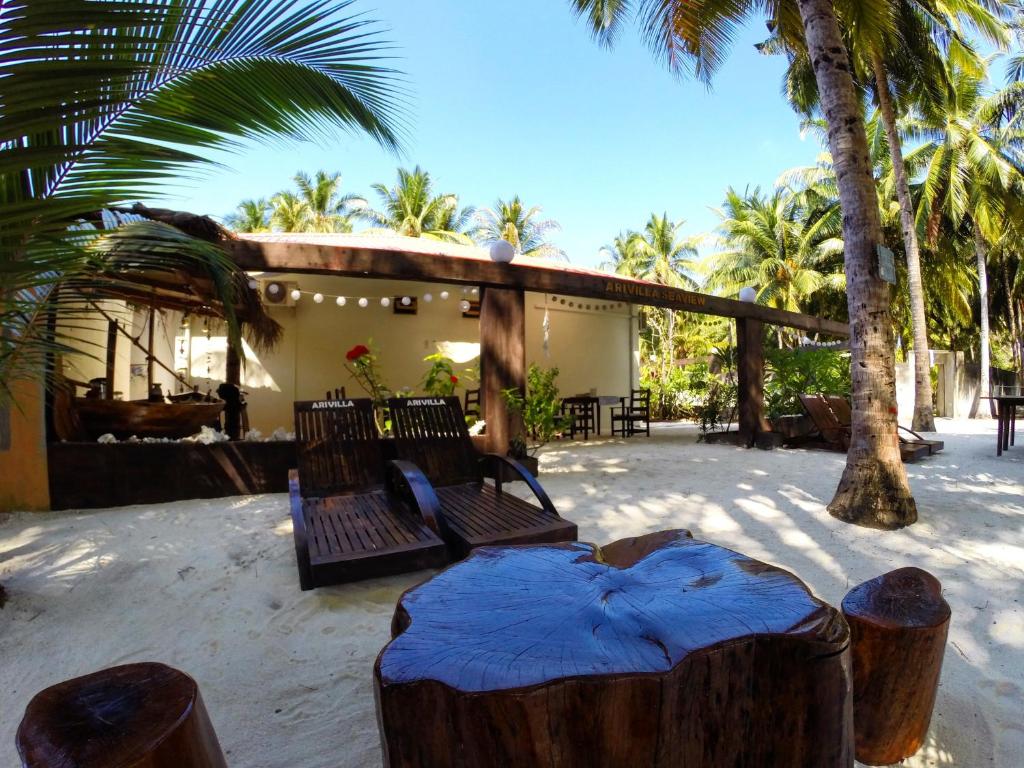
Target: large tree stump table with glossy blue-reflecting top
[(653, 652)]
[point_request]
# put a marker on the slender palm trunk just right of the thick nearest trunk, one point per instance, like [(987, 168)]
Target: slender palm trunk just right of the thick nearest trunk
[(924, 417)]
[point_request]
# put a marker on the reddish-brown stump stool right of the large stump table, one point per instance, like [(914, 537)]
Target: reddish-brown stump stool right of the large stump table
[(899, 628)]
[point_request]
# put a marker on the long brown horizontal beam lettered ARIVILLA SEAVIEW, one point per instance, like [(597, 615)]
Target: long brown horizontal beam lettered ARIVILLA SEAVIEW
[(375, 264)]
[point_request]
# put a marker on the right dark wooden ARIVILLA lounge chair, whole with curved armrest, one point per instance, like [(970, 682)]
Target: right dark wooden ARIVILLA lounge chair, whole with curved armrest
[(432, 433)]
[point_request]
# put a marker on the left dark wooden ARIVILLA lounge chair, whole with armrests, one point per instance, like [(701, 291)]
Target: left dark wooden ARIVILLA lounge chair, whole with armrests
[(354, 516)]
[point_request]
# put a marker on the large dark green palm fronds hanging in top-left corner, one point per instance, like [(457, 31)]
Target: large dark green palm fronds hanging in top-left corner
[(130, 90)]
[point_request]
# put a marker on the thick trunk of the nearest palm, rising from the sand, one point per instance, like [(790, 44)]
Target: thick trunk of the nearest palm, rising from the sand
[(874, 490)]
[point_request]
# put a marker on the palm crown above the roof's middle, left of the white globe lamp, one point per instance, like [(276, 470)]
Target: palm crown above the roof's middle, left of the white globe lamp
[(411, 208)]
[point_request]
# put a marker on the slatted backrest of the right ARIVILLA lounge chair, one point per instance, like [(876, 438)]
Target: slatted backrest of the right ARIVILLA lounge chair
[(432, 433)]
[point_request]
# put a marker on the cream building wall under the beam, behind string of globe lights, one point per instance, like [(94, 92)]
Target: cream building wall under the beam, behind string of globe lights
[(592, 349)]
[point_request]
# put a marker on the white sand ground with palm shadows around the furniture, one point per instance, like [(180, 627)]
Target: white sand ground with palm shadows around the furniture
[(211, 587)]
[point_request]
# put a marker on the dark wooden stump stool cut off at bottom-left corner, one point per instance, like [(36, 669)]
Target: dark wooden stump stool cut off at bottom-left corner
[(138, 716)]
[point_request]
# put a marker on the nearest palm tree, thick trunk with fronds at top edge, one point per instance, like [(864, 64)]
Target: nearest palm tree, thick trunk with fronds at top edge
[(874, 490)]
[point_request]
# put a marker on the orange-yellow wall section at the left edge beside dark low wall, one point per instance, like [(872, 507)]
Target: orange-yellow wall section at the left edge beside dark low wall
[(24, 484)]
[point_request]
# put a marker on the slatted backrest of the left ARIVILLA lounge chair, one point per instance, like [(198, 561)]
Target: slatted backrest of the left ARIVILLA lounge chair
[(338, 447)]
